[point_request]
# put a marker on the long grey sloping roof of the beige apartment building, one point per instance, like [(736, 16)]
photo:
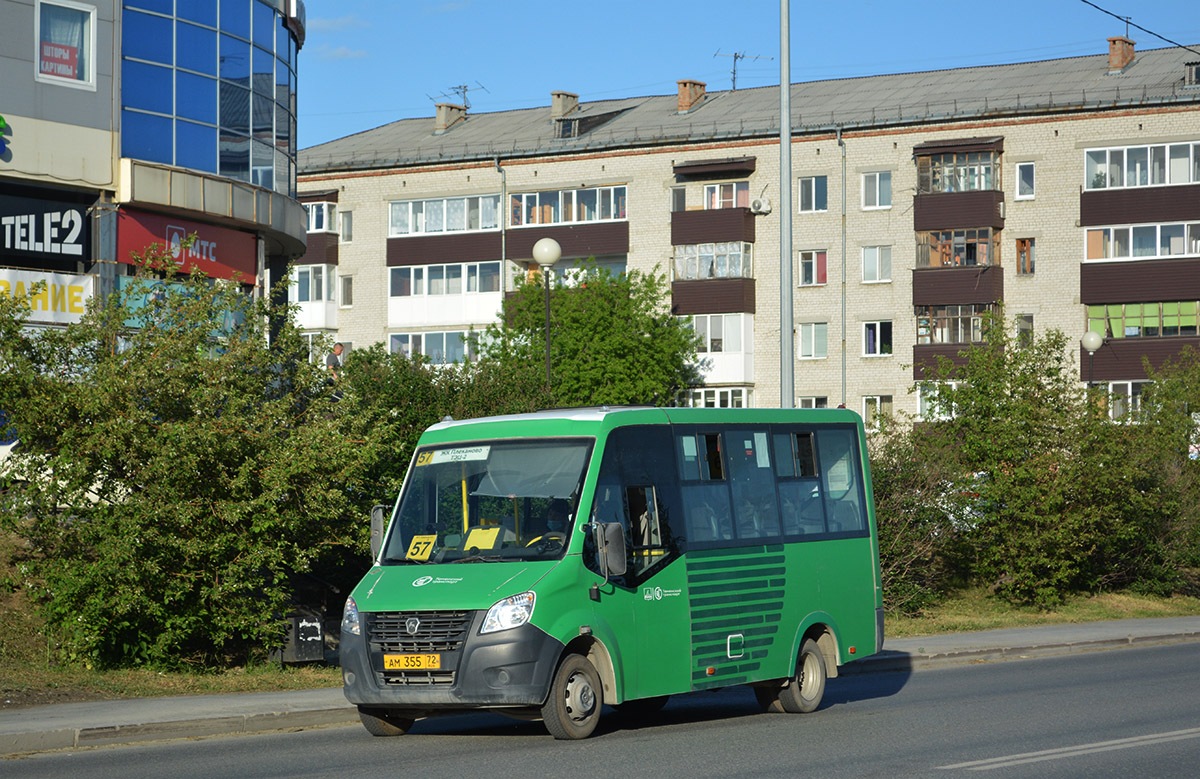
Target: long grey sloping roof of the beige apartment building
[(1156, 77)]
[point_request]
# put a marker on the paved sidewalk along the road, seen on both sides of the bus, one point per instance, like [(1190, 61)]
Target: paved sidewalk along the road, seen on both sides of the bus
[(125, 722)]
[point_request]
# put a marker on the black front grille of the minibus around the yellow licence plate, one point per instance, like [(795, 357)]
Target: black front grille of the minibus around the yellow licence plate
[(441, 633)]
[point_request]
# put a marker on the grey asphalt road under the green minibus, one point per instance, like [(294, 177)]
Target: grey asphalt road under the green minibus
[(1132, 712)]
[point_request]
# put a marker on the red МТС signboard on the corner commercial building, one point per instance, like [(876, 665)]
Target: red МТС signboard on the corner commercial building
[(218, 251)]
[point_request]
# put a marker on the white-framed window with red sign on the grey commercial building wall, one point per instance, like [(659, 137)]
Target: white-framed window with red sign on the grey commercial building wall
[(67, 44)]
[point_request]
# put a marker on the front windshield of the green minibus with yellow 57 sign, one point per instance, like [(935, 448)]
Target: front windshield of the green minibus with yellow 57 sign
[(489, 502)]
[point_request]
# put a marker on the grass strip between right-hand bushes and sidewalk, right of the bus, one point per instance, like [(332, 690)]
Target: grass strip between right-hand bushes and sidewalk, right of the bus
[(979, 610)]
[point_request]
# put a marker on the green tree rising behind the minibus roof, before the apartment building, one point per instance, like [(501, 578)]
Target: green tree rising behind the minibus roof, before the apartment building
[(614, 339)]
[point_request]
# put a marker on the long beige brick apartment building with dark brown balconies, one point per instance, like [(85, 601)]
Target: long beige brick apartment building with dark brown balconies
[(1067, 190)]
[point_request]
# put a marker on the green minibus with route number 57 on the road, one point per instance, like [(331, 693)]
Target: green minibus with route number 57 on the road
[(543, 566)]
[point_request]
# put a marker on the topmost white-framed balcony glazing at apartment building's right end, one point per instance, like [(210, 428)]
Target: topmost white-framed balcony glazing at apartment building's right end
[(1142, 166)]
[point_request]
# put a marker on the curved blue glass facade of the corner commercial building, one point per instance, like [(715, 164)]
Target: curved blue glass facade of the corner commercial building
[(211, 86)]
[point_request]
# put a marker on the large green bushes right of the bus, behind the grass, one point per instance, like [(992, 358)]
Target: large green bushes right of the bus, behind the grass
[(1043, 494)]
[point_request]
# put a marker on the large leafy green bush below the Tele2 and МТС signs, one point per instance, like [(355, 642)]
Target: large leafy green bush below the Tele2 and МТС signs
[(173, 472)]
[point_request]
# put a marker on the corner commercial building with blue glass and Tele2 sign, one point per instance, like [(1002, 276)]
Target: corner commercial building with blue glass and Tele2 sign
[(130, 124)]
